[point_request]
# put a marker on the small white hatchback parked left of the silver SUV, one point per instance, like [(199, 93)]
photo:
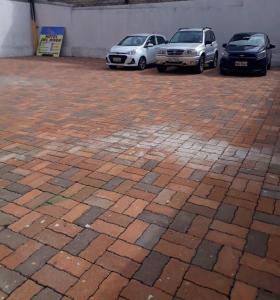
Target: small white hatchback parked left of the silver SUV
[(137, 50)]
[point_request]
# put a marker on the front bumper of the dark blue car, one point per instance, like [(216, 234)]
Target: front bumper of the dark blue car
[(253, 64)]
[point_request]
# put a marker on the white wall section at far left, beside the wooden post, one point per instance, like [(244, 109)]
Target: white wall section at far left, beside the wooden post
[(15, 29)]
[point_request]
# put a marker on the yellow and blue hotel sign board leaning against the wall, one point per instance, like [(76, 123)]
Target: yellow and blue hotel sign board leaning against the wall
[(50, 41)]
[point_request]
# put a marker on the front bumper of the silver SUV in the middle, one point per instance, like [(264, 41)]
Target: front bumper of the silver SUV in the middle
[(183, 61)]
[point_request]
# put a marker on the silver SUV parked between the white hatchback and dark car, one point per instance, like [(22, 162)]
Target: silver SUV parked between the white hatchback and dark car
[(189, 47)]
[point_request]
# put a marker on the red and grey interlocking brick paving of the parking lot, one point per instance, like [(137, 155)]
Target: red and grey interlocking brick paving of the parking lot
[(137, 185)]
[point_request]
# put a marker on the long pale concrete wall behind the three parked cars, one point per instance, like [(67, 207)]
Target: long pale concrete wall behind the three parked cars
[(91, 31)]
